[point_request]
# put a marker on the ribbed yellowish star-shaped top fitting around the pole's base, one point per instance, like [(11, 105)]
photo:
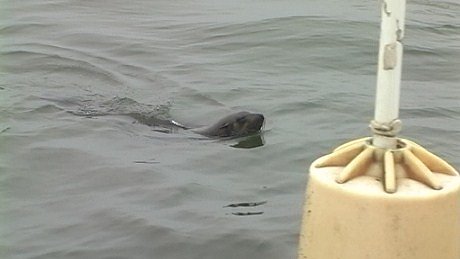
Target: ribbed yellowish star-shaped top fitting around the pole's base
[(408, 160)]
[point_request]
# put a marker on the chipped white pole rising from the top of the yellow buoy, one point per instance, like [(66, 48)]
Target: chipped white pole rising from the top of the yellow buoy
[(386, 124)]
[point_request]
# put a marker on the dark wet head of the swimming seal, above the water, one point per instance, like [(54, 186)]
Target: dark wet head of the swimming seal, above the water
[(235, 125)]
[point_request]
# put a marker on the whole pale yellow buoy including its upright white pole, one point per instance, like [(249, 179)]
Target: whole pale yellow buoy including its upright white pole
[(382, 197)]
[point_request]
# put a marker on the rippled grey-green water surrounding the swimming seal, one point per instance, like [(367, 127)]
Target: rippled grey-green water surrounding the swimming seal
[(110, 187)]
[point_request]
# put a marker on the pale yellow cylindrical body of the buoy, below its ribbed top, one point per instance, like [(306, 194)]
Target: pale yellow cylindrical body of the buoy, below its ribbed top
[(358, 220)]
